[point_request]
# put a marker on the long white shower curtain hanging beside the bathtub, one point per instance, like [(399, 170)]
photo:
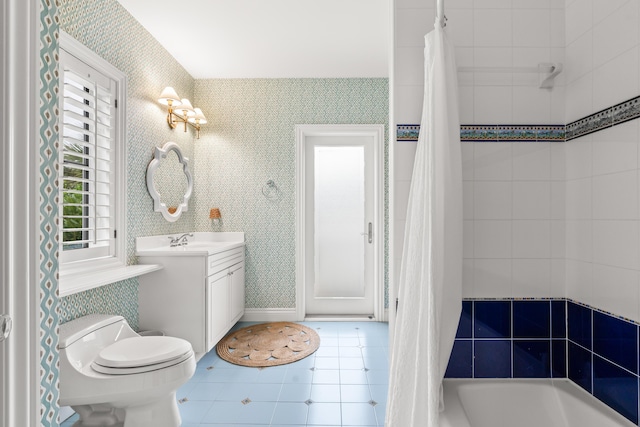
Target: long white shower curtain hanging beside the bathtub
[(430, 287)]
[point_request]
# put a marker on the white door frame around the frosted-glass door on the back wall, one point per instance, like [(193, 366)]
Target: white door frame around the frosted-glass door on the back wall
[(370, 130)]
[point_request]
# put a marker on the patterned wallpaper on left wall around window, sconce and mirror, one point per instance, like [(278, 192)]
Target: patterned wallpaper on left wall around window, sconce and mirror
[(109, 30)]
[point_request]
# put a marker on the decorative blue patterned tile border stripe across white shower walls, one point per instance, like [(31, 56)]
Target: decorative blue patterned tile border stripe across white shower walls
[(609, 117)]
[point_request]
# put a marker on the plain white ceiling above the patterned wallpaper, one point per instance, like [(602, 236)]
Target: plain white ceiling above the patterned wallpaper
[(271, 38)]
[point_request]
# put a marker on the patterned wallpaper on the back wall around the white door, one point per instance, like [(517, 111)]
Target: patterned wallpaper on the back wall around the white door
[(250, 139)]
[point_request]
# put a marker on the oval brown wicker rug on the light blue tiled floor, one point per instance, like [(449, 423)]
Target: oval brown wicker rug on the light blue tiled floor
[(268, 344)]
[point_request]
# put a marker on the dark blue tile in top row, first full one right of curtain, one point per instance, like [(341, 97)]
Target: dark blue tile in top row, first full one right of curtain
[(492, 319)]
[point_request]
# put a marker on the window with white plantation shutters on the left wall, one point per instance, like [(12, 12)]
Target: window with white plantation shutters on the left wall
[(89, 159)]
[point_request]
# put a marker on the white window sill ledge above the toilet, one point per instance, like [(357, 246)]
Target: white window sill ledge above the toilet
[(73, 283)]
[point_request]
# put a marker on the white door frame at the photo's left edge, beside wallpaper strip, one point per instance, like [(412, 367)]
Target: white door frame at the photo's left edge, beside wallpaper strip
[(19, 354)]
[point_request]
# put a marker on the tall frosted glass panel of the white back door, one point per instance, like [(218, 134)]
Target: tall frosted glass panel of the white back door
[(339, 218)]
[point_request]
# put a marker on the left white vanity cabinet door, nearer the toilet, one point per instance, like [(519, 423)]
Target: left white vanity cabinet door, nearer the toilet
[(217, 296)]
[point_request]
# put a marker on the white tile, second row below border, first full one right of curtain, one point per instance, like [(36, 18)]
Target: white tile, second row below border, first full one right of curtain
[(492, 200)]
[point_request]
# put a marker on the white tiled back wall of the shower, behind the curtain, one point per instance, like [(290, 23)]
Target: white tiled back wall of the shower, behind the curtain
[(513, 191)]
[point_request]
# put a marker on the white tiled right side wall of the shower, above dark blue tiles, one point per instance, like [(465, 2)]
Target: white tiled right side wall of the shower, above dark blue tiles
[(602, 169)]
